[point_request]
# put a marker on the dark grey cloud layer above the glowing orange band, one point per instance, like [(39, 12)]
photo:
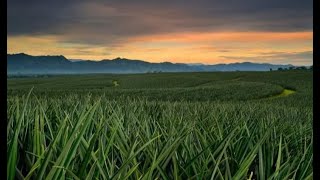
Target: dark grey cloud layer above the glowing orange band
[(97, 21)]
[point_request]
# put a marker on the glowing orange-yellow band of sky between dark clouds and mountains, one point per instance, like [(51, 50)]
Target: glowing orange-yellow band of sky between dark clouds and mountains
[(194, 47)]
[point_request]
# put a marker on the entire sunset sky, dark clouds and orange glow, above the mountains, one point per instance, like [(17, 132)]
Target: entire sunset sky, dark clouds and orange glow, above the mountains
[(180, 31)]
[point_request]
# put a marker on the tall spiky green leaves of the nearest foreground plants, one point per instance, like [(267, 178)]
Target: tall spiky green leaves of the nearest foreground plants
[(97, 139)]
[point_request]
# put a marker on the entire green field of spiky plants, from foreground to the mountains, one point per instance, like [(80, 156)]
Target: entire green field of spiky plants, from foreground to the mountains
[(165, 126)]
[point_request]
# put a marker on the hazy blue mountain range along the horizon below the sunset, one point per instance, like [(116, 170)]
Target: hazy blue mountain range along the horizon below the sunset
[(26, 64)]
